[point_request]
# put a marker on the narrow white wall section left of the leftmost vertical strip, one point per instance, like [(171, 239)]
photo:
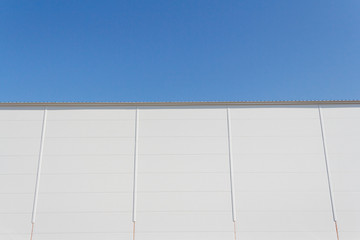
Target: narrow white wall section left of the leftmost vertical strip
[(19, 147)]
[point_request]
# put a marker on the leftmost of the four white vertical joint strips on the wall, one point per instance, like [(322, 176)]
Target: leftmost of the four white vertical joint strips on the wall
[(37, 185)]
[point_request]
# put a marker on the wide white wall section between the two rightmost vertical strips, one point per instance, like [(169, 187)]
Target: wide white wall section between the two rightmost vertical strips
[(280, 174)]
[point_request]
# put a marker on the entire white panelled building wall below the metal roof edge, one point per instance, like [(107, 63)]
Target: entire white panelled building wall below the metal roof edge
[(280, 181)]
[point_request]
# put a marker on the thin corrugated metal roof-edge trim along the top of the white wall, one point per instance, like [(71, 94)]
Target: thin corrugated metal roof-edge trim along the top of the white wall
[(74, 104)]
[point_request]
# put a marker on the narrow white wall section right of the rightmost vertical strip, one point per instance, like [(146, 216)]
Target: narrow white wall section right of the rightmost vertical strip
[(342, 137)]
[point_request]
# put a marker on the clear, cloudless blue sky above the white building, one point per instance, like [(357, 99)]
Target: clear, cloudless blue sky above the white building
[(187, 50)]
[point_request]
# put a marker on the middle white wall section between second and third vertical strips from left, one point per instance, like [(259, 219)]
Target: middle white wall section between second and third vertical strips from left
[(183, 175)]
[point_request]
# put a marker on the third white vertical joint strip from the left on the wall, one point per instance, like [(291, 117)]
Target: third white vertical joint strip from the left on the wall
[(231, 165)]
